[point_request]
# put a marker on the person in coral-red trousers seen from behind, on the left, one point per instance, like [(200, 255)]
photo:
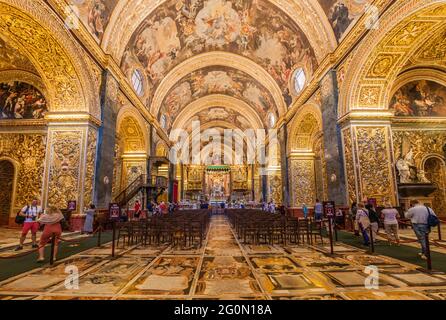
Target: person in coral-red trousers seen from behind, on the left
[(51, 220)]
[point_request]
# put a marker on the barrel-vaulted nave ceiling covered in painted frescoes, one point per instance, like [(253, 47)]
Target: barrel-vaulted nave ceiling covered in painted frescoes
[(246, 50)]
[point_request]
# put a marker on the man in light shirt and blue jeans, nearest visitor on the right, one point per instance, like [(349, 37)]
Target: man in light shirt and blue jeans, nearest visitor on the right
[(418, 214)]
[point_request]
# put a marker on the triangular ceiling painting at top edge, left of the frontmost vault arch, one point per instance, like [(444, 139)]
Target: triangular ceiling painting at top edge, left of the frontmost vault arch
[(95, 14)]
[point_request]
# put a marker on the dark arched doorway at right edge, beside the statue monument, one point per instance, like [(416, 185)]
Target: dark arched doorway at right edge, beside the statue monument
[(435, 172)]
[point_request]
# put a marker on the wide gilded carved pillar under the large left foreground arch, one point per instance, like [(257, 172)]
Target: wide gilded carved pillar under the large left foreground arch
[(70, 161)]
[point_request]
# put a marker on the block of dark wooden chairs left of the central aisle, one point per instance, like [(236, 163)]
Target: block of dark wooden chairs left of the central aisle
[(184, 228)]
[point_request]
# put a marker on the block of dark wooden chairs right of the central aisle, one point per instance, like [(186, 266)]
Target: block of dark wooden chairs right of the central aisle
[(258, 227)]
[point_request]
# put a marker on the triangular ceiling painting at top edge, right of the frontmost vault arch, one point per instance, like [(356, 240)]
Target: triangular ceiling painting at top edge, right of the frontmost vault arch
[(342, 13)]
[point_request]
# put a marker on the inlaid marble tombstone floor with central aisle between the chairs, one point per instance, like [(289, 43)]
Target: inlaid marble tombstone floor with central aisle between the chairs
[(225, 269)]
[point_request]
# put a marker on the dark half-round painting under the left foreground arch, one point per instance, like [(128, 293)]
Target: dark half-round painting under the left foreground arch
[(19, 100)]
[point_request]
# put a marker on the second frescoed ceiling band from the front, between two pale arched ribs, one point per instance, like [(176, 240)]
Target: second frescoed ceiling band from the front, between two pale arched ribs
[(217, 80)]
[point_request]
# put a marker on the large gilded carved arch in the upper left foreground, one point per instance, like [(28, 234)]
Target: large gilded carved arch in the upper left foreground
[(55, 54)]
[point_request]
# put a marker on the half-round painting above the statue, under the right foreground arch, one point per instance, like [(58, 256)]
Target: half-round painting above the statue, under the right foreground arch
[(421, 98)]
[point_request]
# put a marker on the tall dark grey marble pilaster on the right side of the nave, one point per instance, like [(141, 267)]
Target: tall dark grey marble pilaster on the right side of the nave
[(332, 139)]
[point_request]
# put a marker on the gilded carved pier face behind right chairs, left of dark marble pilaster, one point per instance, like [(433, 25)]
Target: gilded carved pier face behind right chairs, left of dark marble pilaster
[(302, 182)]
